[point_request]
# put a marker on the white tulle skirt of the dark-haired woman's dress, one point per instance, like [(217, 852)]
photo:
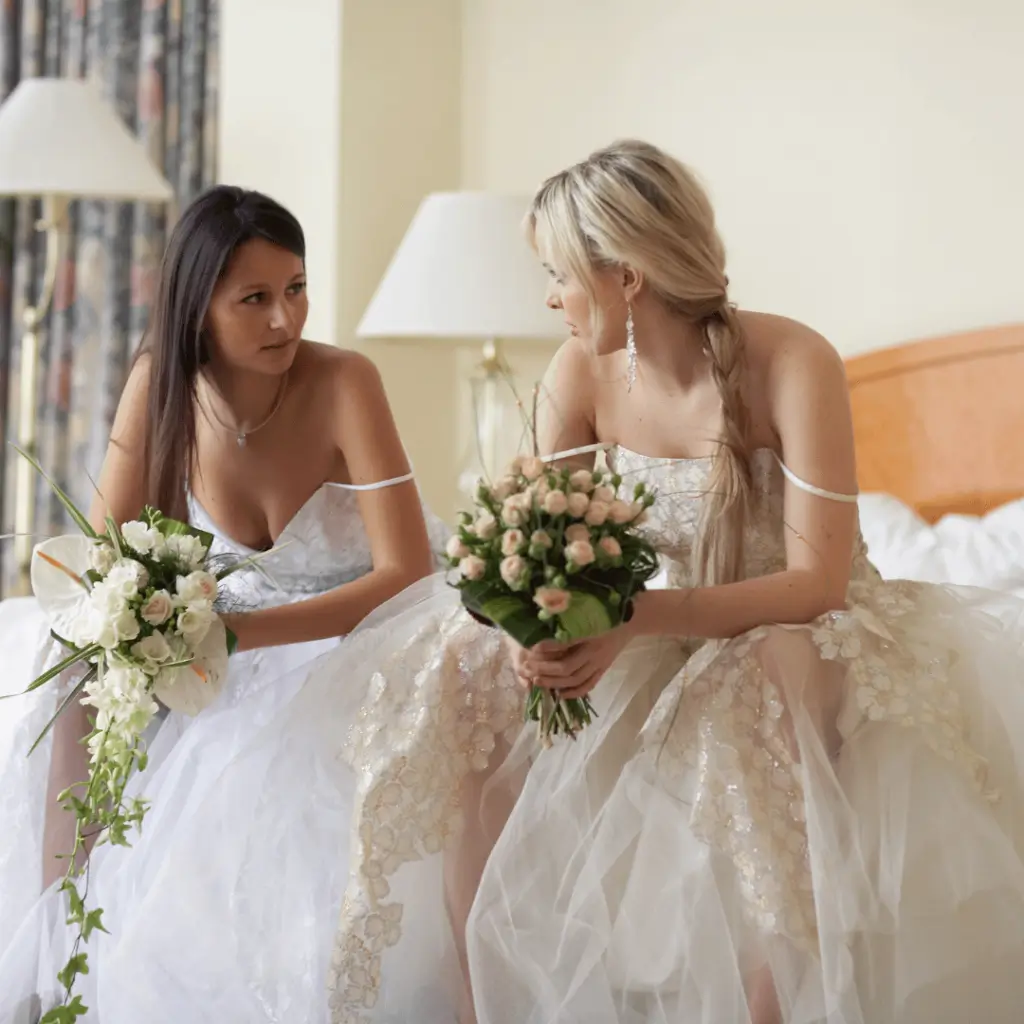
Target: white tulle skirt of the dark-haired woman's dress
[(197, 906)]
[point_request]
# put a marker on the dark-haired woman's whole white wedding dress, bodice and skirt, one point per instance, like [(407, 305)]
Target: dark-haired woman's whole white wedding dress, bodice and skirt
[(211, 919)]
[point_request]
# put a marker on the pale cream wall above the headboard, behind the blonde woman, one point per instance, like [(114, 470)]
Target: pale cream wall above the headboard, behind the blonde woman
[(867, 157)]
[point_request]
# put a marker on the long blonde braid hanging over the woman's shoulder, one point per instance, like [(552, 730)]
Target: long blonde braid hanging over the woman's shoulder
[(718, 556)]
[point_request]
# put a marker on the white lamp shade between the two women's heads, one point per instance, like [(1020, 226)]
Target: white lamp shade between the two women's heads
[(464, 270)]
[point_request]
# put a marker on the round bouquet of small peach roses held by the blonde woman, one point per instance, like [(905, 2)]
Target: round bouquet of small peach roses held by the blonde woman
[(553, 554)]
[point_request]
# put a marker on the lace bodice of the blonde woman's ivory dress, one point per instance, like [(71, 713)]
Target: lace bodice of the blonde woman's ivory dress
[(680, 489)]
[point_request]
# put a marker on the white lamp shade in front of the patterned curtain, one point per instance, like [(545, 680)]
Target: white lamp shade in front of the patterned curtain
[(58, 138)]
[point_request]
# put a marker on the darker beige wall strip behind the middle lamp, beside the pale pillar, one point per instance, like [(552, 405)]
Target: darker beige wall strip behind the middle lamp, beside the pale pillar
[(401, 141)]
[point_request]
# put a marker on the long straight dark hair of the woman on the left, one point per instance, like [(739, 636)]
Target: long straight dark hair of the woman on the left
[(177, 343)]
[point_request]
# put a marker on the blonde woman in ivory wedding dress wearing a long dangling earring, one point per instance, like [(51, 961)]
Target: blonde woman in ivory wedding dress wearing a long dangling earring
[(802, 800)]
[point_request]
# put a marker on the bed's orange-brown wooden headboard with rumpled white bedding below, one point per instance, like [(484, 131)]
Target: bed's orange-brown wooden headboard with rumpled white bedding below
[(940, 431)]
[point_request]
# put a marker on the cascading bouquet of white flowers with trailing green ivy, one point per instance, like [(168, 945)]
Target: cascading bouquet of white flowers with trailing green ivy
[(134, 609)]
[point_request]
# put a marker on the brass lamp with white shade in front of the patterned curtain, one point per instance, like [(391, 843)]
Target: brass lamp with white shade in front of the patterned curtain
[(60, 142)]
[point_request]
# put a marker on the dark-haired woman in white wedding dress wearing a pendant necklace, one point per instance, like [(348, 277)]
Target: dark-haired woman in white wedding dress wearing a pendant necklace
[(274, 445)]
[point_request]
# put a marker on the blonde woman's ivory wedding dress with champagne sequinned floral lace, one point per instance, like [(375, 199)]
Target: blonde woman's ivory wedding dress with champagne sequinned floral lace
[(829, 815)]
